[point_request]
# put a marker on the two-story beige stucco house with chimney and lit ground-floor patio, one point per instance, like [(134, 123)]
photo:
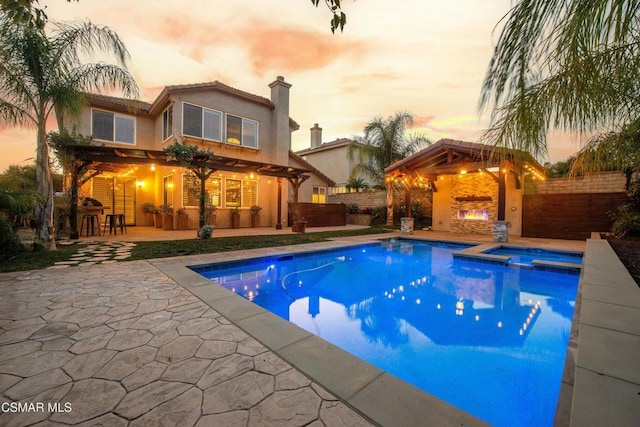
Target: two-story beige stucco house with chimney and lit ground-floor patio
[(247, 135)]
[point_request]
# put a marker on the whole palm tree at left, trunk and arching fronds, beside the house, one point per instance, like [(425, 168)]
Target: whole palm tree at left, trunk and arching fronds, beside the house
[(41, 73)]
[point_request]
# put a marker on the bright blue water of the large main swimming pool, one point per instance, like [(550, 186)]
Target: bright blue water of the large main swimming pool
[(489, 339)]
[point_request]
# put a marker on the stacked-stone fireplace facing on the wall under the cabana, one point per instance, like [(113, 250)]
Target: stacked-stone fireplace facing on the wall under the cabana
[(481, 185)]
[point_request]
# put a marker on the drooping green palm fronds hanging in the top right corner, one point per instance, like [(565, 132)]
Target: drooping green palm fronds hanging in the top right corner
[(572, 66)]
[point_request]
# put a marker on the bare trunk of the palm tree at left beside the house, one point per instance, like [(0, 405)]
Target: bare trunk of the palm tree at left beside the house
[(45, 231)]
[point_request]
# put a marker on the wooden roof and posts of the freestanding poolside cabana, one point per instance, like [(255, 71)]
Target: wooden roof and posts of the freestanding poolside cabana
[(450, 157)]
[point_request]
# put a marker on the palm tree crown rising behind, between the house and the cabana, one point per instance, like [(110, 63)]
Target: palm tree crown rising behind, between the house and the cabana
[(384, 143)]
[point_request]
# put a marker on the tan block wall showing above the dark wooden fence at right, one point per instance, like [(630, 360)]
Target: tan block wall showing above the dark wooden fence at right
[(604, 182)]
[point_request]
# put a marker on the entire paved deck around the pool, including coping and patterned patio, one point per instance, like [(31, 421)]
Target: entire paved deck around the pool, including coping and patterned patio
[(150, 342)]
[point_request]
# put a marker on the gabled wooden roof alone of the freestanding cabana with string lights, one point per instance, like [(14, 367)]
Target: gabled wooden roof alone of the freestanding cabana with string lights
[(447, 156)]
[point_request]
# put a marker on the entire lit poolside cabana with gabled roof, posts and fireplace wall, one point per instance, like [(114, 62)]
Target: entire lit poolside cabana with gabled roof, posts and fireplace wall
[(475, 188)]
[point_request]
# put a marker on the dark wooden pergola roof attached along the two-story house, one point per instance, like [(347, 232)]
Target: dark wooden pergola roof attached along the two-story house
[(111, 159)]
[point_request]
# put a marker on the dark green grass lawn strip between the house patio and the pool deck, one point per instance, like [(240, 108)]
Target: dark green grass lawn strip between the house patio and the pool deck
[(173, 248)]
